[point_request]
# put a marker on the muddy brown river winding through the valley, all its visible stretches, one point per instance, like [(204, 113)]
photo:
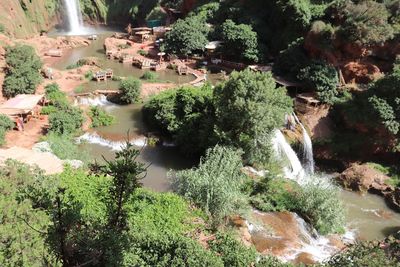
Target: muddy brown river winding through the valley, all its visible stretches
[(367, 216)]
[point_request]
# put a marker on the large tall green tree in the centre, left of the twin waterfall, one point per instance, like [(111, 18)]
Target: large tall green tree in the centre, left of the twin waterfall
[(248, 108)]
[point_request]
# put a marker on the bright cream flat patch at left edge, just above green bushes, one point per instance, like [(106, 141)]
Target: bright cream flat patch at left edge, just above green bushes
[(44, 160)]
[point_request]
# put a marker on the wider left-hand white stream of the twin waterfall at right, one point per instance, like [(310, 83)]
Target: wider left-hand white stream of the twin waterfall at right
[(284, 151)]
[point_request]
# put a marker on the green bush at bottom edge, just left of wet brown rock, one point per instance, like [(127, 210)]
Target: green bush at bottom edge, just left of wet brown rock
[(232, 252)]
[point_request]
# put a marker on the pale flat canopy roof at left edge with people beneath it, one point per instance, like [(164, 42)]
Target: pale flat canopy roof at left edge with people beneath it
[(21, 104)]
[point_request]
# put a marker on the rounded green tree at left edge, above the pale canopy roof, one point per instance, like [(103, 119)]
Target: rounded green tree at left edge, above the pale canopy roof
[(22, 71)]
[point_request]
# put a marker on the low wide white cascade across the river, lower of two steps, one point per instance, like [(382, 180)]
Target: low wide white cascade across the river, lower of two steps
[(94, 138)]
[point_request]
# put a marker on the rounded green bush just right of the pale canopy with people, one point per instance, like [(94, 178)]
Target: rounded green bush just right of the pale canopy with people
[(67, 120)]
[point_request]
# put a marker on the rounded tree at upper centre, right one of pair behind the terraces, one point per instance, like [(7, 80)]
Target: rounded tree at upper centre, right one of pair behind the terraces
[(240, 41)]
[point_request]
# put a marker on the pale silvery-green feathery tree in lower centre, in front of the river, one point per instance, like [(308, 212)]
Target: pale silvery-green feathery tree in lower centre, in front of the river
[(215, 185)]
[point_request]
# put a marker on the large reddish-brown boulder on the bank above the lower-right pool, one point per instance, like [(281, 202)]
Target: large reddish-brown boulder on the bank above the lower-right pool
[(361, 177)]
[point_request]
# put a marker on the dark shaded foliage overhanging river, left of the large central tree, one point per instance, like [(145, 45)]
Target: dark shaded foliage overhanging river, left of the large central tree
[(186, 114)]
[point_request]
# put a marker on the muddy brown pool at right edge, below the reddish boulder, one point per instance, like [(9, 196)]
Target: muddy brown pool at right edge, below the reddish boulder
[(369, 215)]
